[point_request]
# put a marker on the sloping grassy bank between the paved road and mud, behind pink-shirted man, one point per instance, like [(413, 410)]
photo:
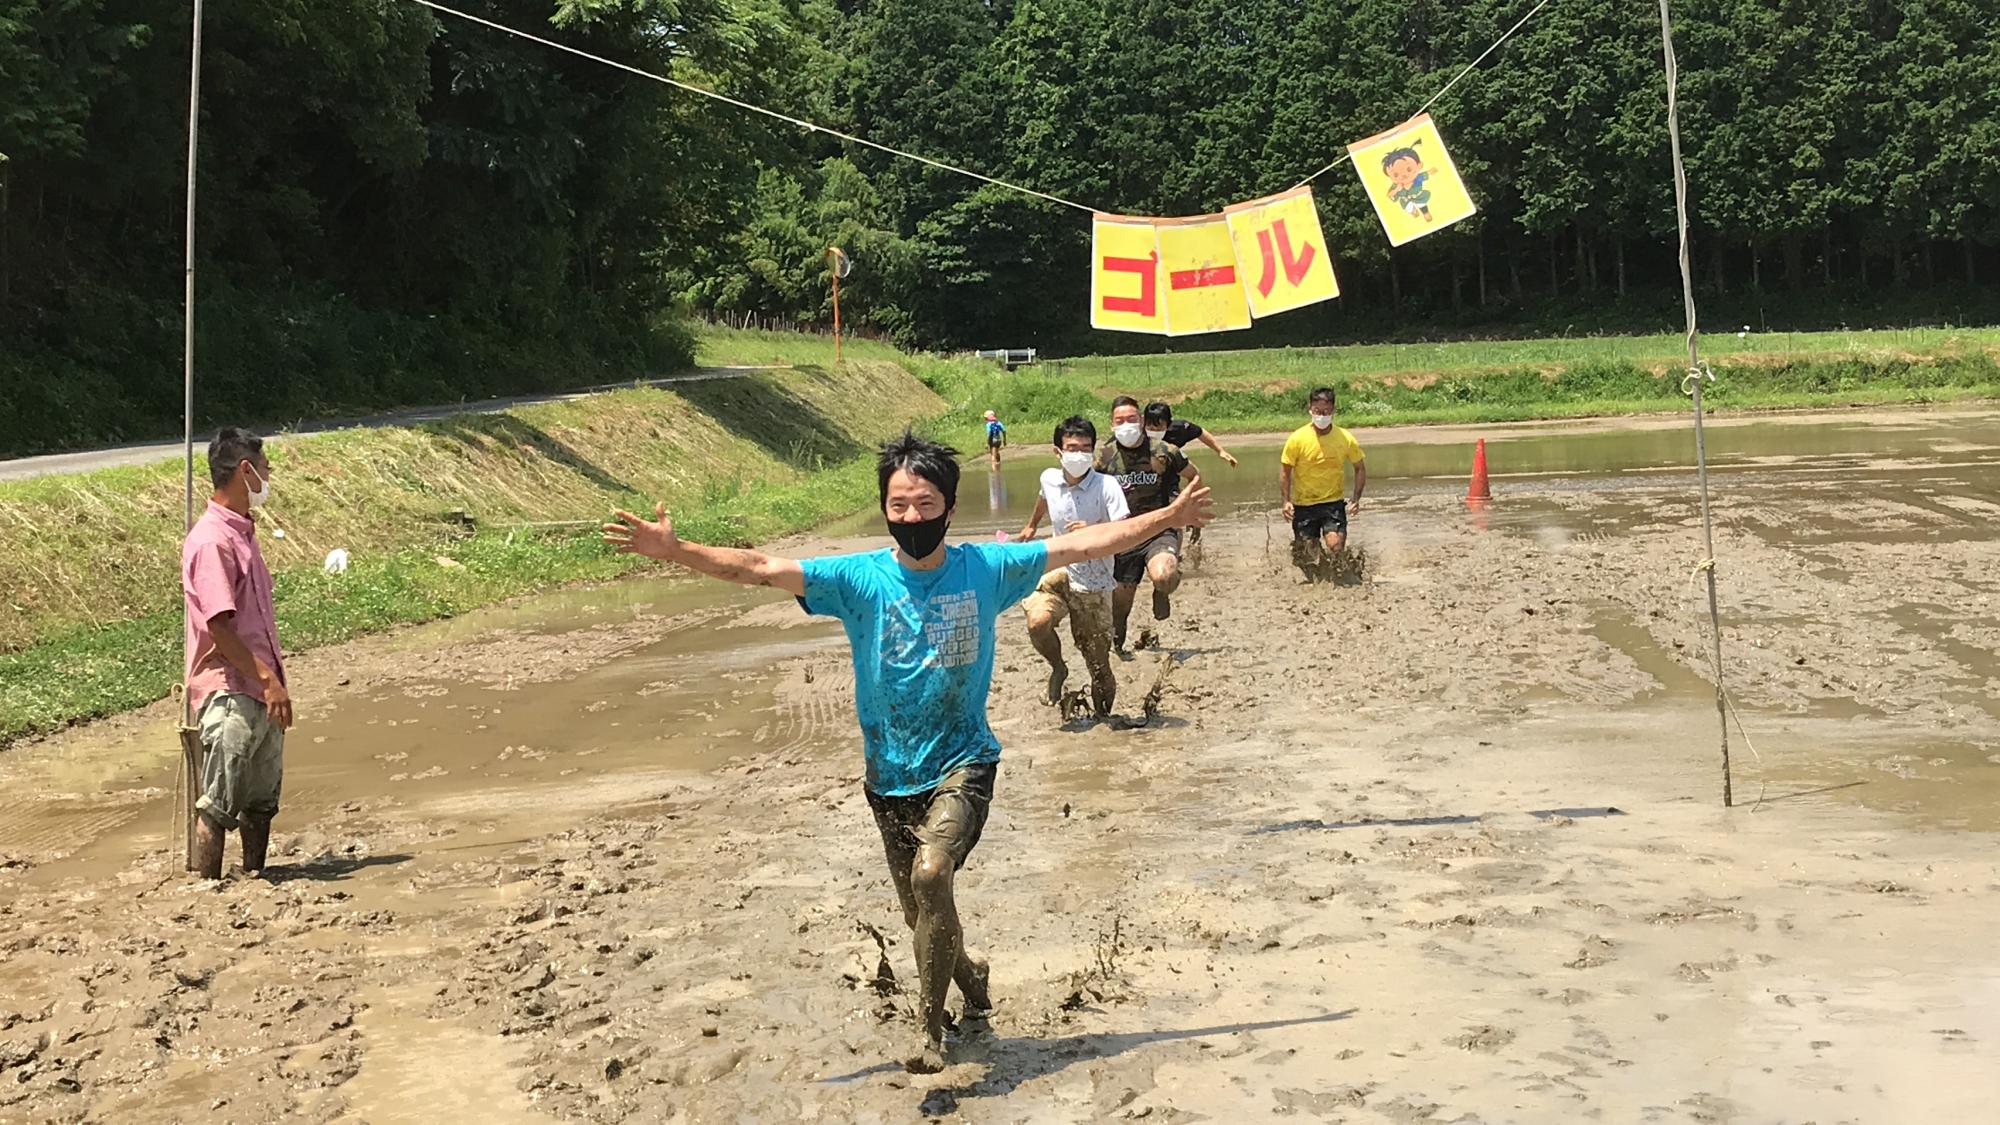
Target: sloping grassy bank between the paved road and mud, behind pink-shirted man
[(439, 517)]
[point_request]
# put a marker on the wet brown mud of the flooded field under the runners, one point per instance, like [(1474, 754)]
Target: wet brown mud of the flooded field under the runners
[(1443, 844)]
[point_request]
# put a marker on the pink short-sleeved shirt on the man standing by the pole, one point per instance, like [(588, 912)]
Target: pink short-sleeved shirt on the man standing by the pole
[(223, 572)]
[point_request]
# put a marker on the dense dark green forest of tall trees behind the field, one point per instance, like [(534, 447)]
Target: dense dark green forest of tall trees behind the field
[(407, 207)]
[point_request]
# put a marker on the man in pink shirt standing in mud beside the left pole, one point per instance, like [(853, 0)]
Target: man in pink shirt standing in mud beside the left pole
[(235, 666)]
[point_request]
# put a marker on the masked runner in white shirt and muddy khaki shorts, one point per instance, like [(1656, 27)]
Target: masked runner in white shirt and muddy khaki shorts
[(1075, 497)]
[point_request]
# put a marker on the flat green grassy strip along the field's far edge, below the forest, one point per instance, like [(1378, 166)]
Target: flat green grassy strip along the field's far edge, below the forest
[(1503, 381)]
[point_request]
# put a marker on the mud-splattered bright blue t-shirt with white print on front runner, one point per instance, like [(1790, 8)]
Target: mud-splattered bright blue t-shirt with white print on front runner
[(923, 652)]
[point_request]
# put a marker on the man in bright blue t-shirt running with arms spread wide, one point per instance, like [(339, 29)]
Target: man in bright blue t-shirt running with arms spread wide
[(921, 626)]
